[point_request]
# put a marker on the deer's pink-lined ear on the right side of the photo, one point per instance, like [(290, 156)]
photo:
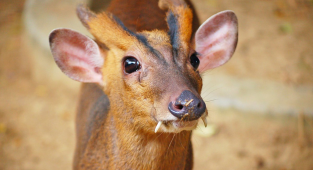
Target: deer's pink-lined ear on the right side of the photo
[(216, 40)]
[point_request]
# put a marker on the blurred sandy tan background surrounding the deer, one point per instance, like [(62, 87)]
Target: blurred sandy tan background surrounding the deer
[(260, 103)]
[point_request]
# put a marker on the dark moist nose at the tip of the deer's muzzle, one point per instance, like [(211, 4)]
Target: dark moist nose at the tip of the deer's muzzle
[(187, 106)]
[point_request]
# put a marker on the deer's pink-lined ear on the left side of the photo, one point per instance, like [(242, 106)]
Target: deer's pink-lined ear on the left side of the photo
[(76, 55)]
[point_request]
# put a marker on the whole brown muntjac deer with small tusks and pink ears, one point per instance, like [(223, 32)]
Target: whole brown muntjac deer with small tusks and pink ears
[(140, 97)]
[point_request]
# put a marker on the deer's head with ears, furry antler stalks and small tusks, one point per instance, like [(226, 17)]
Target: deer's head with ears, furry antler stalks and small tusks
[(152, 78)]
